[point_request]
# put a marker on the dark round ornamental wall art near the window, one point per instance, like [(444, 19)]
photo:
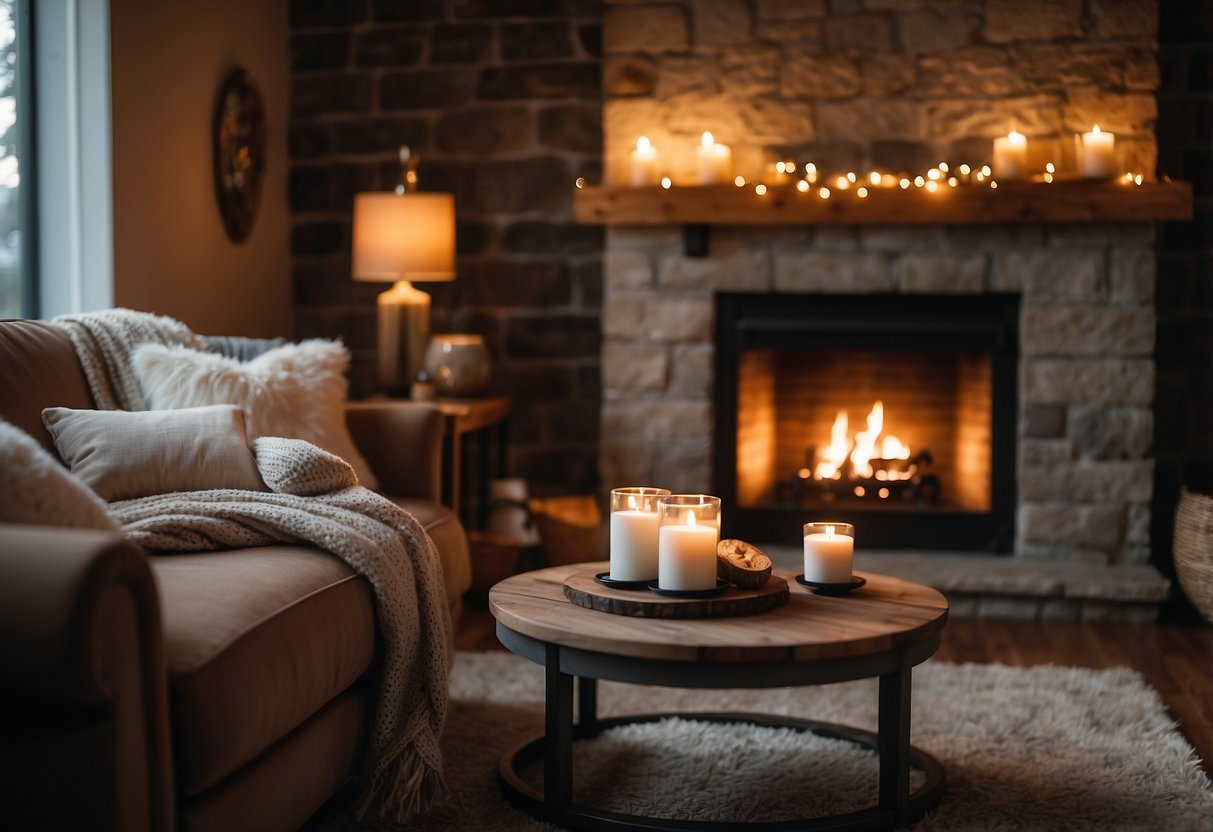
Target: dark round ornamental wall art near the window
[(240, 153)]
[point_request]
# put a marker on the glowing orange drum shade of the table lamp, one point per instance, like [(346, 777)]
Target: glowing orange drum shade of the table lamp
[(405, 237)]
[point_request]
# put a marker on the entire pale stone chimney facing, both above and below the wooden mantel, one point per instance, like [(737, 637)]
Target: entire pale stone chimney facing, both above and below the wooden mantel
[(901, 87)]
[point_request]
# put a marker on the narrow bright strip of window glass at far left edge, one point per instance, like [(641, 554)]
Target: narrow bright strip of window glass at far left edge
[(15, 294)]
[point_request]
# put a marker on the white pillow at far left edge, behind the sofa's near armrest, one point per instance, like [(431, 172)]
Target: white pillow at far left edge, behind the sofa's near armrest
[(36, 489)]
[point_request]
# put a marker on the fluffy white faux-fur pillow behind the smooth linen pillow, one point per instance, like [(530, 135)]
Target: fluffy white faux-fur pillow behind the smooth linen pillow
[(298, 391)]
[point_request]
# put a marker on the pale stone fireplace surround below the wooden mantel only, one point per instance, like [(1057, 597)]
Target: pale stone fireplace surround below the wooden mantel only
[(1087, 338)]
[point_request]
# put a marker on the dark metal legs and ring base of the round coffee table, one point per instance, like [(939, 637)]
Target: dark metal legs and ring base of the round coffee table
[(897, 806)]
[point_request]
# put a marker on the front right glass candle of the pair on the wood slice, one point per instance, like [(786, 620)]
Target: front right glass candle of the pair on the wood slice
[(691, 528)]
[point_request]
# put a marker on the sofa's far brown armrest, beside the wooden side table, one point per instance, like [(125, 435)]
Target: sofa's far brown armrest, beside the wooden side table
[(403, 443)]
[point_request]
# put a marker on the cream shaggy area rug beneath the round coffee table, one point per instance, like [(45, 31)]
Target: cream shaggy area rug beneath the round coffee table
[(1024, 749)]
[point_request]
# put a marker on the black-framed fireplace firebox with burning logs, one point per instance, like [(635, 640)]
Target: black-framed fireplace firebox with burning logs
[(896, 413)]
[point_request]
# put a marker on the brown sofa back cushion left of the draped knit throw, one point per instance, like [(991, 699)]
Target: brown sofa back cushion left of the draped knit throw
[(38, 369)]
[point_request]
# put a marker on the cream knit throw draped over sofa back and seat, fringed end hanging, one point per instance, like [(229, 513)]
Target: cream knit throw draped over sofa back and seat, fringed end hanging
[(316, 500)]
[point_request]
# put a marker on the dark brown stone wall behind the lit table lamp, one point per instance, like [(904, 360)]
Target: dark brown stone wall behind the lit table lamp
[(504, 102)]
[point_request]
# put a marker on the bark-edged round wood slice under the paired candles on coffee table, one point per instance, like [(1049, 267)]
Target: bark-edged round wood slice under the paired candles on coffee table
[(583, 590)]
